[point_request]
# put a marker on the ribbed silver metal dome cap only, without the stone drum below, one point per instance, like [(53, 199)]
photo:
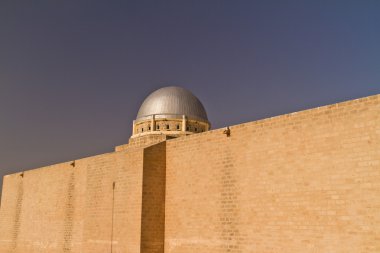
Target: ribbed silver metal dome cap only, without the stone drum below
[(173, 101)]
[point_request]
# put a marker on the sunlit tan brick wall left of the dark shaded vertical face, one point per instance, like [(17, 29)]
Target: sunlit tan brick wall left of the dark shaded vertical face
[(62, 208)]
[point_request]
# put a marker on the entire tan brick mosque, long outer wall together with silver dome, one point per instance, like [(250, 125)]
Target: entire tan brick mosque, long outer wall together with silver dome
[(301, 182)]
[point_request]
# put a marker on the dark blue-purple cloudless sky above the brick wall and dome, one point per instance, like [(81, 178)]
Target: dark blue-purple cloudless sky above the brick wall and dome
[(74, 73)]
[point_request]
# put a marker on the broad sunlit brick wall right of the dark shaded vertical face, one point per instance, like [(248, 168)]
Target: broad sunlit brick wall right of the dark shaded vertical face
[(302, 182)]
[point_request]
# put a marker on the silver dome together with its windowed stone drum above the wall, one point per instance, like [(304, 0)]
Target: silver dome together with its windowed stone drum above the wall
[(170, 111)]
